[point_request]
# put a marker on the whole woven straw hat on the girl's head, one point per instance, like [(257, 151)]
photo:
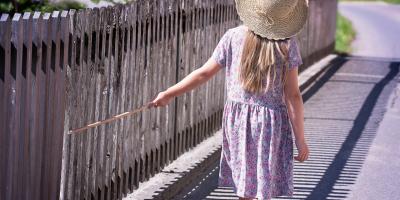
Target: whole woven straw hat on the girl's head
[(273, 19)]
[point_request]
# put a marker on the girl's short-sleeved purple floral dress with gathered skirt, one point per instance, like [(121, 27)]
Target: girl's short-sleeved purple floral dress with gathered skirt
[(257, 149)]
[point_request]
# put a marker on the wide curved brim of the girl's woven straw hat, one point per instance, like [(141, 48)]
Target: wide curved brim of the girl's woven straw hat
[(282, 28)]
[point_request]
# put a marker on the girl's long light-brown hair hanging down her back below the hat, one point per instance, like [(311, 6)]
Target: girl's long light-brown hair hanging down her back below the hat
[(258, 69)]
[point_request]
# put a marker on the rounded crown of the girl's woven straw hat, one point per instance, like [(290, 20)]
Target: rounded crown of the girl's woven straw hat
[(276, 8)]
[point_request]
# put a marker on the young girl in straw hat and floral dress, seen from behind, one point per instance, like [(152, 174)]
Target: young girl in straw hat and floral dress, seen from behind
[(264, 104)]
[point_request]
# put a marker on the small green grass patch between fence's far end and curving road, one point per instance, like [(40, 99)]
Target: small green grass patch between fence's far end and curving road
[(345, 34)]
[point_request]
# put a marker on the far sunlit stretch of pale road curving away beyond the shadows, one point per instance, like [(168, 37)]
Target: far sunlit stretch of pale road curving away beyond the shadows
[(377, 26)]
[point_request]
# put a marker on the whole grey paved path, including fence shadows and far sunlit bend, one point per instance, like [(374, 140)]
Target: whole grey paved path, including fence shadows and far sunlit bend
[(352, 120)]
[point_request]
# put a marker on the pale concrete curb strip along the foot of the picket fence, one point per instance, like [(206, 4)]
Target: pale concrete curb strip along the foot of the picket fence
[(190, 165)]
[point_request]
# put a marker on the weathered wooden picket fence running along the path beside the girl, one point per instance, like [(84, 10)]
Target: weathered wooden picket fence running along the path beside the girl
[(65, 69)]
